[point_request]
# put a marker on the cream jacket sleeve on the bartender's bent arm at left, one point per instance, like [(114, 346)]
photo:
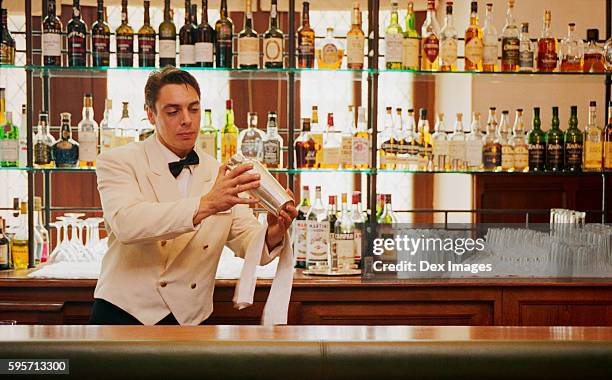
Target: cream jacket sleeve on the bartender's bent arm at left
[(133, 219)]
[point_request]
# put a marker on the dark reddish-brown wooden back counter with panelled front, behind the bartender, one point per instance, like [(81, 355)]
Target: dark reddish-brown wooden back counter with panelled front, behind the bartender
[(349, 301)]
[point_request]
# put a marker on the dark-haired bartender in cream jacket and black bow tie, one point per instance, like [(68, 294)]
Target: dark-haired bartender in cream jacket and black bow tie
[(169, 209)]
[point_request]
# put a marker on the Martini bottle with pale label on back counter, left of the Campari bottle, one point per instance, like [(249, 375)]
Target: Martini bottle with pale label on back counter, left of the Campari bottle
[(317, 232)]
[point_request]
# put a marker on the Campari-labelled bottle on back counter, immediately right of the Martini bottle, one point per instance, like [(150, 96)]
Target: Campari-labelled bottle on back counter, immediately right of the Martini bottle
[(343, 247)]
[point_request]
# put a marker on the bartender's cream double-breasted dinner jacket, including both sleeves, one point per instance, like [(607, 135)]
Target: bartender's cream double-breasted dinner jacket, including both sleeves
[(157, 261)]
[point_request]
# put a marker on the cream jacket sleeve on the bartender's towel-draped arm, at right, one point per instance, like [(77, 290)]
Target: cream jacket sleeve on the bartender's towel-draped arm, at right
[(244, 227)]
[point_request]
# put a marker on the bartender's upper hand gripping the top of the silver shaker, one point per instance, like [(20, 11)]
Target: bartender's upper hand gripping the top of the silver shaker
[(224, 193)]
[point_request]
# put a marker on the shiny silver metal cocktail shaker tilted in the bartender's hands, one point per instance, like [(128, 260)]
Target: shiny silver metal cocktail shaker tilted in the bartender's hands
[(270, 193)]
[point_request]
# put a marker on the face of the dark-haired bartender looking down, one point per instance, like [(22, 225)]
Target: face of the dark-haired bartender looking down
[(177, 117)]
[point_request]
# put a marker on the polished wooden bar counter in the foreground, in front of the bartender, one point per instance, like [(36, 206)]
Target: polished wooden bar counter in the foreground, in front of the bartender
[(315, 352)]
